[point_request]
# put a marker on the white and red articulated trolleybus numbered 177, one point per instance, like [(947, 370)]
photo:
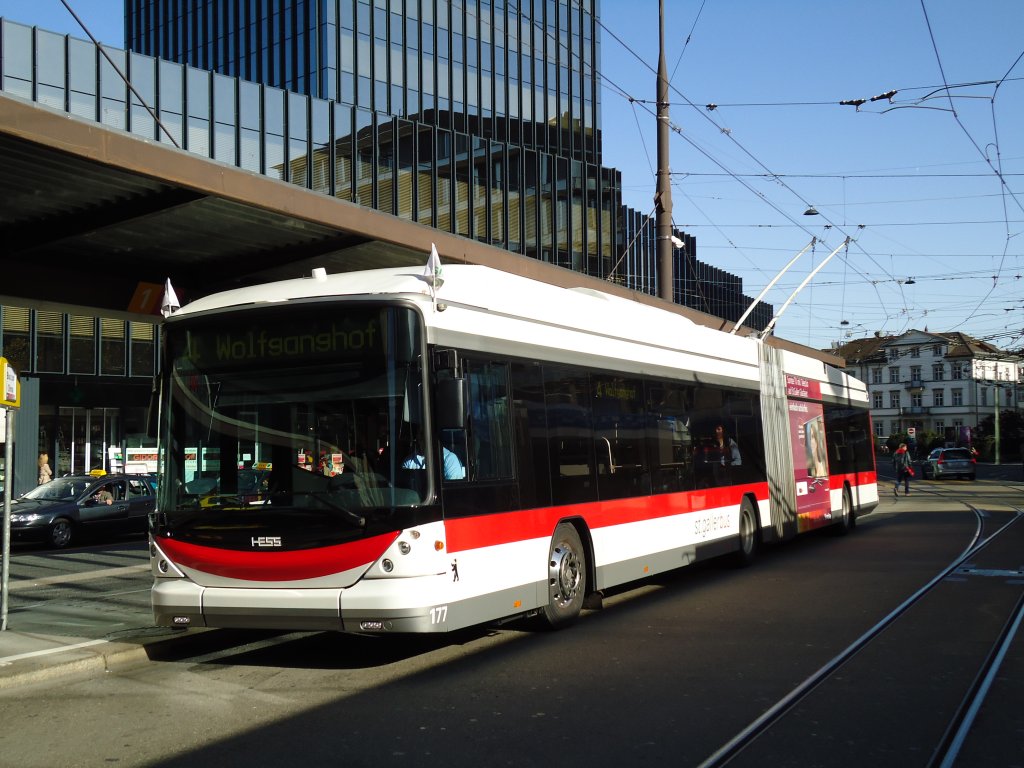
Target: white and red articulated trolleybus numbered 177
[(383, 452)]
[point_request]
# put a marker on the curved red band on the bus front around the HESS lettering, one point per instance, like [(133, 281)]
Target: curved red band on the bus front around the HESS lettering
[(277, 567)]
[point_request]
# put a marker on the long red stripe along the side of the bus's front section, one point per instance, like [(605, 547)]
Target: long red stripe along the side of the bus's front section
[(506, 528)]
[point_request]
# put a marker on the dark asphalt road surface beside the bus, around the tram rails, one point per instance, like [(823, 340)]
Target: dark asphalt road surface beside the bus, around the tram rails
[(666, 674)]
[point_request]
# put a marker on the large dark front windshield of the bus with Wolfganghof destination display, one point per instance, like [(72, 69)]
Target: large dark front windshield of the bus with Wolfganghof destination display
[(304, 410)]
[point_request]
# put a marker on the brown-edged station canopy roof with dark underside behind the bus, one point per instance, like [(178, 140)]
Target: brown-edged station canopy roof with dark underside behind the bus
[(96, 220)]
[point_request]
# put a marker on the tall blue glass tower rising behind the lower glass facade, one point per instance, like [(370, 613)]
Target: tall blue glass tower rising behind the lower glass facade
[(518, 72)]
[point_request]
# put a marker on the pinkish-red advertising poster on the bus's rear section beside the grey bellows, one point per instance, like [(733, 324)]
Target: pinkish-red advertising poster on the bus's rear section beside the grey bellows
[(807, 437)]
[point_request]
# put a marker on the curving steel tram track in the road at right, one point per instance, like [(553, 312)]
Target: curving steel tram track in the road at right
[(971, 563)]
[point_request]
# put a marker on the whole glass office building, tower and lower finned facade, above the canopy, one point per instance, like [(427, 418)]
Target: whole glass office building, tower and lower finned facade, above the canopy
[(520, 170)]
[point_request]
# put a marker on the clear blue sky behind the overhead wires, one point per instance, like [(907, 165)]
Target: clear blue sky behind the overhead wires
[(912, 181)]
